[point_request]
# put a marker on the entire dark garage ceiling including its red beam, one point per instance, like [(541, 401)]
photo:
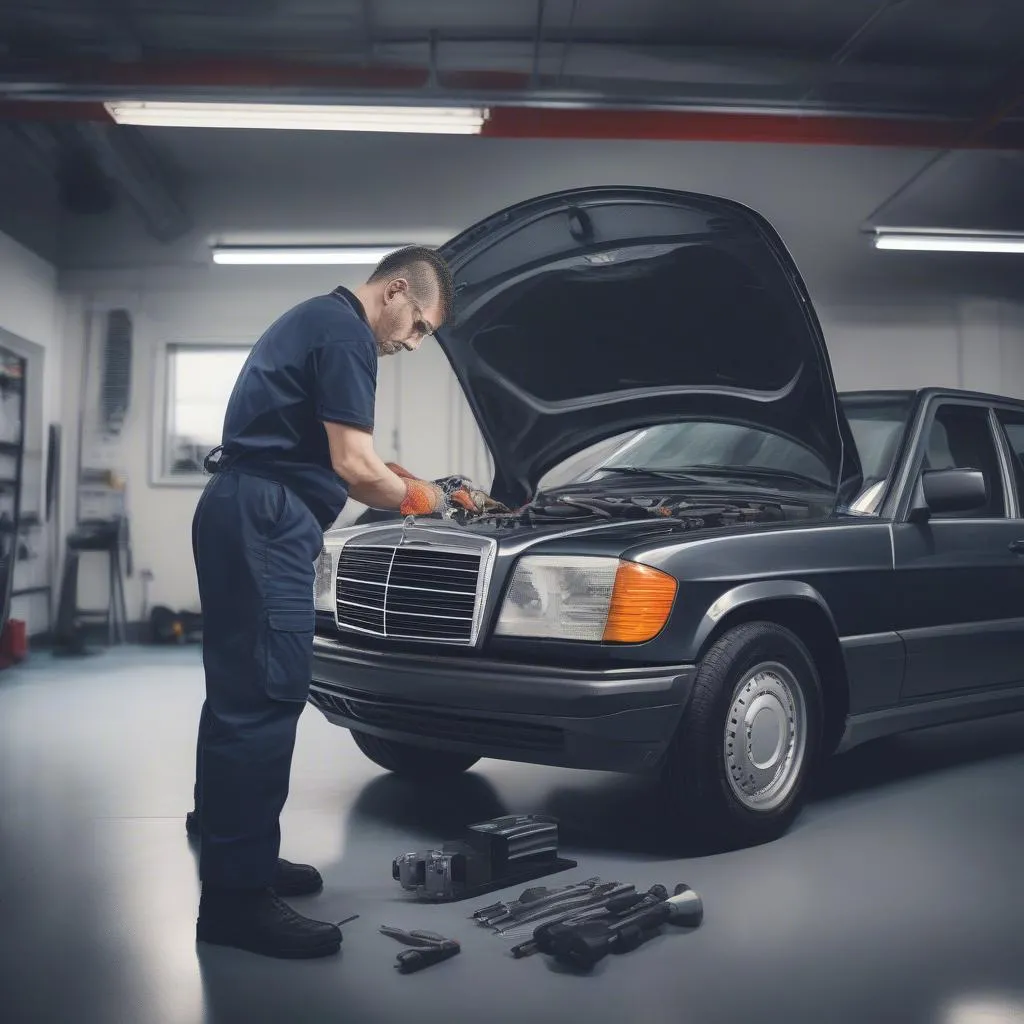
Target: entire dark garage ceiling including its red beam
[(938, 75)]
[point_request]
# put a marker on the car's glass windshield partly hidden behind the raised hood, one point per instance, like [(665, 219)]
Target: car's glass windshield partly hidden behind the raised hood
[(712, 452)]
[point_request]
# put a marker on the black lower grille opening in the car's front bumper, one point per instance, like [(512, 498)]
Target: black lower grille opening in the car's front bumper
[(421, 720)]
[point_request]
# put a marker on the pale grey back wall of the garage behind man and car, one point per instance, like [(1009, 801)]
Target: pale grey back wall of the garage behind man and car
[(890, 322)]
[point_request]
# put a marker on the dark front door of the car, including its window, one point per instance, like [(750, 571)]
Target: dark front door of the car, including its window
[(959, 578)]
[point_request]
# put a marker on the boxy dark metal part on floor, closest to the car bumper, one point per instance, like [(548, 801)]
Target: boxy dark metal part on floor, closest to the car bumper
[(494, 856)]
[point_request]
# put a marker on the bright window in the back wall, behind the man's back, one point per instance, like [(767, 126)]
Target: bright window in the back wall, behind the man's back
[(197, 383)]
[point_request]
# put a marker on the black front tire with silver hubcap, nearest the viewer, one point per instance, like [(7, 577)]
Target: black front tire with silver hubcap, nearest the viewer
[(728, 795)]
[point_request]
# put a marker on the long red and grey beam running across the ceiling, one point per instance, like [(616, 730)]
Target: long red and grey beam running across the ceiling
[(629, 111)]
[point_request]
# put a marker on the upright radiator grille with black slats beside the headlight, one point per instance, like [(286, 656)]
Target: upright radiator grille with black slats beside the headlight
[(411, 593)]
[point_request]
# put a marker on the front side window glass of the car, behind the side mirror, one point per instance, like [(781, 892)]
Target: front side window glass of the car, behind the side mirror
[(961, 438)]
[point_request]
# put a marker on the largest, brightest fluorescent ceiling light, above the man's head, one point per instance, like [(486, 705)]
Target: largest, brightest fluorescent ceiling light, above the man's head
[(297, 117)]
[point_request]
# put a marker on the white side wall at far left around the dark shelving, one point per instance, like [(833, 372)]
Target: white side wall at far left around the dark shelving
[(32, 323)]
